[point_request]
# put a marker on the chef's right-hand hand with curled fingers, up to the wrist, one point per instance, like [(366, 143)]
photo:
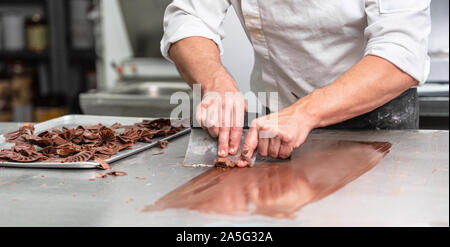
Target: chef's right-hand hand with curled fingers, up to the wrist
[(278, 134)]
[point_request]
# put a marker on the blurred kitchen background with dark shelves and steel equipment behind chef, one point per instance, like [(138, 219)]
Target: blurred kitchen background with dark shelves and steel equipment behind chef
[(102, 57)]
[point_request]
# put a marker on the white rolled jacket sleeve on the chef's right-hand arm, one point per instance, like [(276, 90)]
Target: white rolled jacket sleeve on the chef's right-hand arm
[(398, 31)]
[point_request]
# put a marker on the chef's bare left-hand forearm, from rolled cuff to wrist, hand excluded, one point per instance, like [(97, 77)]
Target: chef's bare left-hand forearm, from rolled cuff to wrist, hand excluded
[(198, 61)]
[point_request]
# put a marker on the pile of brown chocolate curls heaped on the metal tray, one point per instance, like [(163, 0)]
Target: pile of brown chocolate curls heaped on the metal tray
[(82, 143)]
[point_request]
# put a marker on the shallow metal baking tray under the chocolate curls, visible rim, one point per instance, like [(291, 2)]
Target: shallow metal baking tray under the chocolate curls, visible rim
[(75, 120)]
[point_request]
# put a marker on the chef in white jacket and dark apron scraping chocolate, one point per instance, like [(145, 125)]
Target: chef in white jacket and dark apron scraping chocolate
[(339, 63)]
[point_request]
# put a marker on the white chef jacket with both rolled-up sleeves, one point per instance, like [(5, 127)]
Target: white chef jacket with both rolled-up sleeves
[(302, 45)]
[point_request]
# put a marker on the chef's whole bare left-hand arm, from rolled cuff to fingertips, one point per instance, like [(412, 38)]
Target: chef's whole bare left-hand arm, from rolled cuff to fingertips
[(198, 61)]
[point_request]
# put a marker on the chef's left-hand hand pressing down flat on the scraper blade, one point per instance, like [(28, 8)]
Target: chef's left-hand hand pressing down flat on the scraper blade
[(221, 113)]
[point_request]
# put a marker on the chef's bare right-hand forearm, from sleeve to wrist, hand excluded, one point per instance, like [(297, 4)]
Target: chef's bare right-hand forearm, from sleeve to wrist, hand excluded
[(368, 85)]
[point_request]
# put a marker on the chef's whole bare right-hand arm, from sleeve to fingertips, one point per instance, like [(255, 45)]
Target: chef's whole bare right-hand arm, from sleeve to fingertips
[(369, 84)]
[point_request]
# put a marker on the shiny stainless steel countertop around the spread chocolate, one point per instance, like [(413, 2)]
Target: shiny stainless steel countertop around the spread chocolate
[(410, 187)]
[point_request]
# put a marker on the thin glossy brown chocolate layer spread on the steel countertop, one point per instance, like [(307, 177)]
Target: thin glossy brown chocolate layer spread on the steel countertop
[(317, 169)]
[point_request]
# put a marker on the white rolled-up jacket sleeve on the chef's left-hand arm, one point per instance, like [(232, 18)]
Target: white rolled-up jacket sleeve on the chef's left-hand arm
[(188, 18)]
